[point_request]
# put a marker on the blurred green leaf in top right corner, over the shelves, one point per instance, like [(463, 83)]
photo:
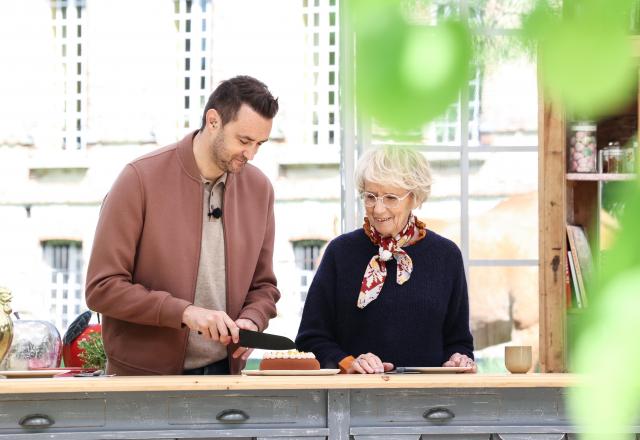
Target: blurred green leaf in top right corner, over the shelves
[(585, 54)]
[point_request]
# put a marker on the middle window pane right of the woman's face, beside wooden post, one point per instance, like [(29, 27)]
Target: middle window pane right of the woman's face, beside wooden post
[(503, 205)]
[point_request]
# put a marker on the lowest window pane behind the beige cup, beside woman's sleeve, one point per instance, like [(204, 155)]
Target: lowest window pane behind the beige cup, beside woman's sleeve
[(503, 304)]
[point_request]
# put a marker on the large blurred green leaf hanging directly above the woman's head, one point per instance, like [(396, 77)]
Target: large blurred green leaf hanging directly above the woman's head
[(407, 74)]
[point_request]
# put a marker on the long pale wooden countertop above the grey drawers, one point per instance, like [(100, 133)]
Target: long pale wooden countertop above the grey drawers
[(210, 383)]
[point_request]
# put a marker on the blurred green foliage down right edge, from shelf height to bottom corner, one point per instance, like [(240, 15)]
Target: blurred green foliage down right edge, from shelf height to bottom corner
[(606, 350)]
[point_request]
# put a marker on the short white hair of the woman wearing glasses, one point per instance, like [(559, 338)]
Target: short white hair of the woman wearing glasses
[(402, 167)]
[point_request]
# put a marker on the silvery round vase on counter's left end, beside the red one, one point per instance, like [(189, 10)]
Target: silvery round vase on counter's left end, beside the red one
[(36, 344)]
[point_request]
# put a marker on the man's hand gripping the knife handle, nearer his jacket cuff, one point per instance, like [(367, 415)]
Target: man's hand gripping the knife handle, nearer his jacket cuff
[(212, 324)]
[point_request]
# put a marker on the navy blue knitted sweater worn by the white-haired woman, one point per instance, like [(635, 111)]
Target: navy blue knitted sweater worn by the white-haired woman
[(419, 324)]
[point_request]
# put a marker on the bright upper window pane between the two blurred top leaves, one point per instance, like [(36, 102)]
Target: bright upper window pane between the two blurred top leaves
[(503, 96)]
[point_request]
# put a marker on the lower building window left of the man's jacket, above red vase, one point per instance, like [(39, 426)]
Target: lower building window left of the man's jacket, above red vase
[(64, 263)]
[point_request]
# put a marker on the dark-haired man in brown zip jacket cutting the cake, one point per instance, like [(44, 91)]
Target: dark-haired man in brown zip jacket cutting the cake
[(182, 256)]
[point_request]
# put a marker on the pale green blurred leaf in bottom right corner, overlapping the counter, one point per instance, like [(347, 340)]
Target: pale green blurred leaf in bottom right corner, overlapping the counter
[(607, 353)]
